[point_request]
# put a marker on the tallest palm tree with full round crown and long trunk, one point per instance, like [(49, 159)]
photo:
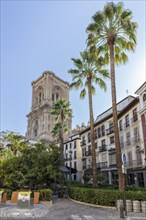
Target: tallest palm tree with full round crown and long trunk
[(113, 32)]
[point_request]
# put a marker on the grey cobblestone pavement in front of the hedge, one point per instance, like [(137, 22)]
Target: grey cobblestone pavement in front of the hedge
[(63, 209)]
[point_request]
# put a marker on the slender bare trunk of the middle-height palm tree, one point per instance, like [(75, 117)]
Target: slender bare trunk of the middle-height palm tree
[(94, 170)]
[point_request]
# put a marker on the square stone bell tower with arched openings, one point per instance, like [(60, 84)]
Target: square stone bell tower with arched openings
[(45, 91)]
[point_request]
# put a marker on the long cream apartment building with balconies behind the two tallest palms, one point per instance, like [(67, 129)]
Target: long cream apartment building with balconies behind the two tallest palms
[(132, 134)]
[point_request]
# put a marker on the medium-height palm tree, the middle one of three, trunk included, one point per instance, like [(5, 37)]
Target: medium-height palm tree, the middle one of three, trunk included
[(85, 75)]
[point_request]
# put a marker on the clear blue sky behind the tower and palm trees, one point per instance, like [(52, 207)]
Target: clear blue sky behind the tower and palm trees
[(45, 35)]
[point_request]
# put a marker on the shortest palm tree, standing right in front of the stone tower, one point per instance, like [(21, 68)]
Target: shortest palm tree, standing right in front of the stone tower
[(63, 114)]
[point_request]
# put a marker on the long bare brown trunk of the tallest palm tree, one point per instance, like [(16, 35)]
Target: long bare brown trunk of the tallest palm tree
[(115, 119)]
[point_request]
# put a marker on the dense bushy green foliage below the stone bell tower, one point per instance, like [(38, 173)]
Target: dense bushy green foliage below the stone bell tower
[(32, 165)]
